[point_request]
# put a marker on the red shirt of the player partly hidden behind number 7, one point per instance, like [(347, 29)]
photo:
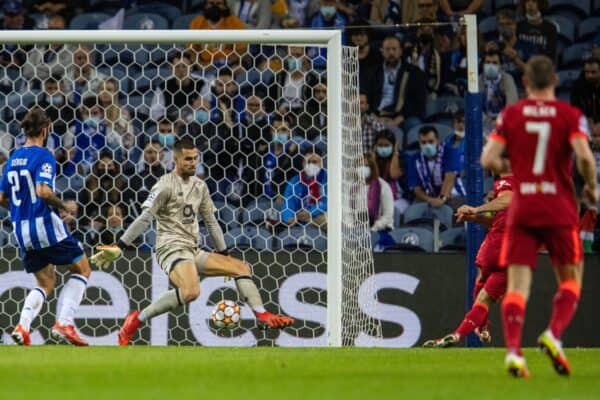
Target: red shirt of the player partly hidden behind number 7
[(489, 252)]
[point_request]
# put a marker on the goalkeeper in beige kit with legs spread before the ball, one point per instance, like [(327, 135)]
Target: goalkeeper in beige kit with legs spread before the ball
[(175, 202)]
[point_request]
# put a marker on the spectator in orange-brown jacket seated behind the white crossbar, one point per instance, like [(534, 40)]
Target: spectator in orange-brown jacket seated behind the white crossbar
[(216, 15)]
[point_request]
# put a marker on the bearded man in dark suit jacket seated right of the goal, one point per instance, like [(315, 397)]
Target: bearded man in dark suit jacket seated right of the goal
[(397, 91)]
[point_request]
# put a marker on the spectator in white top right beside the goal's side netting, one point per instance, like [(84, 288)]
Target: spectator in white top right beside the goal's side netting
[(380, 200)]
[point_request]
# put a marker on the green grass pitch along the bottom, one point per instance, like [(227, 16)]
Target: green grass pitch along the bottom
[(59, 372)]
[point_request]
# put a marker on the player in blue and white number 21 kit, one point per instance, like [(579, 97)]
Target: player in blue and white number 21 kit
[(27, 190)]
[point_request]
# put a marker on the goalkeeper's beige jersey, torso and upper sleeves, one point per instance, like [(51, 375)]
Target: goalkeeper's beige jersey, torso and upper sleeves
[(175, 205)]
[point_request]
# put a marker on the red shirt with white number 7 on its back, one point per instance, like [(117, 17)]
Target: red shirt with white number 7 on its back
[(538, 138)]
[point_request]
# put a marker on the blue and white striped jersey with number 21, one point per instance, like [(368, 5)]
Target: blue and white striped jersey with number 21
[(35, 225)]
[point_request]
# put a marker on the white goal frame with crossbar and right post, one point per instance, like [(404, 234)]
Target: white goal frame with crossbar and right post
[(331, 39)]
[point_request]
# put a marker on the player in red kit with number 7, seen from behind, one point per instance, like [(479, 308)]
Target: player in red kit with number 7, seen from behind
[(540, 135)]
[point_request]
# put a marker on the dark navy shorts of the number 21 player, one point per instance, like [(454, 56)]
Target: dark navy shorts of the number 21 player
[(66, 252)]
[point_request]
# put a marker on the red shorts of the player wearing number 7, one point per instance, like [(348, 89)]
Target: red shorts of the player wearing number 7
[(521, 244)]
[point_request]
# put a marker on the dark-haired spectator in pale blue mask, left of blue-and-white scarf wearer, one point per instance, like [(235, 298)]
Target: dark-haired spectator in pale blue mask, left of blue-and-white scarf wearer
[(387, 156)]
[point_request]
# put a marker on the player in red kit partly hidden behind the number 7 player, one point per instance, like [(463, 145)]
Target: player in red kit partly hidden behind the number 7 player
[(491, 282)]
